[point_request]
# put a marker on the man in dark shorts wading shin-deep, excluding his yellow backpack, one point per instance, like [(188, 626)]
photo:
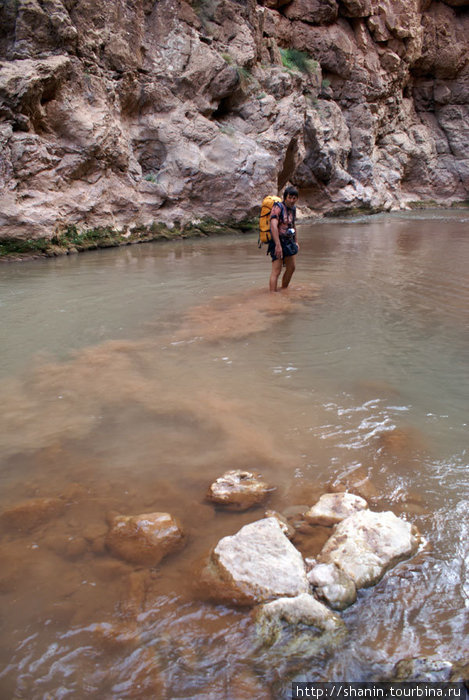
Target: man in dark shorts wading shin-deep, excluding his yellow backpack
[(283, 245)]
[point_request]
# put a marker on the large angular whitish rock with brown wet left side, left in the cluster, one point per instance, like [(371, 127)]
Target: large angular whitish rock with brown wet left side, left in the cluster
[(256, 564)]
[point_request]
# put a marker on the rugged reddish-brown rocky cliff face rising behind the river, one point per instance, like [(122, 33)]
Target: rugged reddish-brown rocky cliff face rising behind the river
[(127, 112)]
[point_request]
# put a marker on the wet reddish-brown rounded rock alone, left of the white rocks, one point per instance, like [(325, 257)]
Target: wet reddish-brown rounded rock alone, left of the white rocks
[(144, 539)]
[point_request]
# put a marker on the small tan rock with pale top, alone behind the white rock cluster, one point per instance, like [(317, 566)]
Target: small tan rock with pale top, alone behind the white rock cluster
[(238, 490)]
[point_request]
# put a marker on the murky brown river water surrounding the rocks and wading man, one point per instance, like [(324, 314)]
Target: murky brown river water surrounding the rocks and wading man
[(131, 378)]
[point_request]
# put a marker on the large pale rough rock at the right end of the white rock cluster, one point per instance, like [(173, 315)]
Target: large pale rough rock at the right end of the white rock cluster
[(366, 544)]
